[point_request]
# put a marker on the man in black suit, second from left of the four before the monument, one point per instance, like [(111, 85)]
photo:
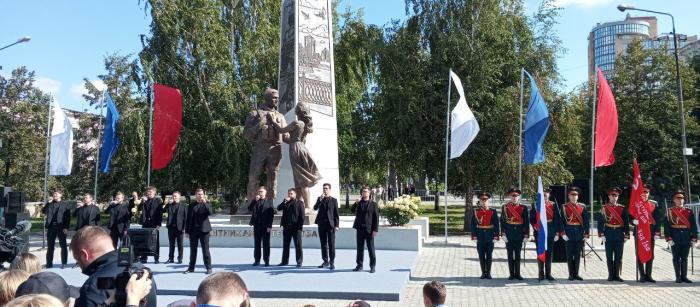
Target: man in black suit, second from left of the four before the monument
[(292, 225)]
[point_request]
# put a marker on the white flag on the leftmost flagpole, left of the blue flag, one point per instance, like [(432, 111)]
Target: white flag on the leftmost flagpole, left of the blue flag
[(61, 159)]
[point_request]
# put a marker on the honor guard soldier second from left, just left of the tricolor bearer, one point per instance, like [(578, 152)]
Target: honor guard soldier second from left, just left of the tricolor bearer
[(514, 229)]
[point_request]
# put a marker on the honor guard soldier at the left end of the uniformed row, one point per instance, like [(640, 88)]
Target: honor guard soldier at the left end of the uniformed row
[(485, 230)]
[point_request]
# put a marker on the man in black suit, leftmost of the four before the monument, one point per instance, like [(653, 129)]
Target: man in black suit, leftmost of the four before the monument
[(262, 215)]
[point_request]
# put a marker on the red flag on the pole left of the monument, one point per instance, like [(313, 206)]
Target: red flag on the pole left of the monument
[(167, 122)]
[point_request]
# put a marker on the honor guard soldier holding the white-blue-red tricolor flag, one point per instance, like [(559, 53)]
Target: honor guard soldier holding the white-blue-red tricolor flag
[(554, 228)]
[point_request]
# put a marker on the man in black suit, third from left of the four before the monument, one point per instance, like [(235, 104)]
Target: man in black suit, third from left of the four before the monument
[(328, 222)]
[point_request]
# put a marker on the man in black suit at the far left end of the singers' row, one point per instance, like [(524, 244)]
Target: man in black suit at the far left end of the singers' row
[(57, 220)]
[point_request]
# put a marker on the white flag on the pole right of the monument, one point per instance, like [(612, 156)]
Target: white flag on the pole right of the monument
[(464, 126)]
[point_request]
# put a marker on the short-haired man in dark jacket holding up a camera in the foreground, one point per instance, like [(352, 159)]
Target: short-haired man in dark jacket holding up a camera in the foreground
[(93, 251)]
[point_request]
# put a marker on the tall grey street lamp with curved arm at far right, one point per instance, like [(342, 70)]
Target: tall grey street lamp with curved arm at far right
[(679, 90)]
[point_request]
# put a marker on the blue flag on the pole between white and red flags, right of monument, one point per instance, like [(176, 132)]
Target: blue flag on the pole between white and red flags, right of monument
[(536, 125)]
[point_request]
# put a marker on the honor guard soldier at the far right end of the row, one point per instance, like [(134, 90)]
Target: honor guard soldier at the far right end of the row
[(681, 232)]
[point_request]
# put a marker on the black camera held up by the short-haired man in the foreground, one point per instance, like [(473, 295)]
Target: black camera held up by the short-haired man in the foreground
[(125, 259)]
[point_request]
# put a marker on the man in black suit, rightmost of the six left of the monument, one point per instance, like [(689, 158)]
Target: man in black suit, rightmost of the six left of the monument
[(198, 228)]
